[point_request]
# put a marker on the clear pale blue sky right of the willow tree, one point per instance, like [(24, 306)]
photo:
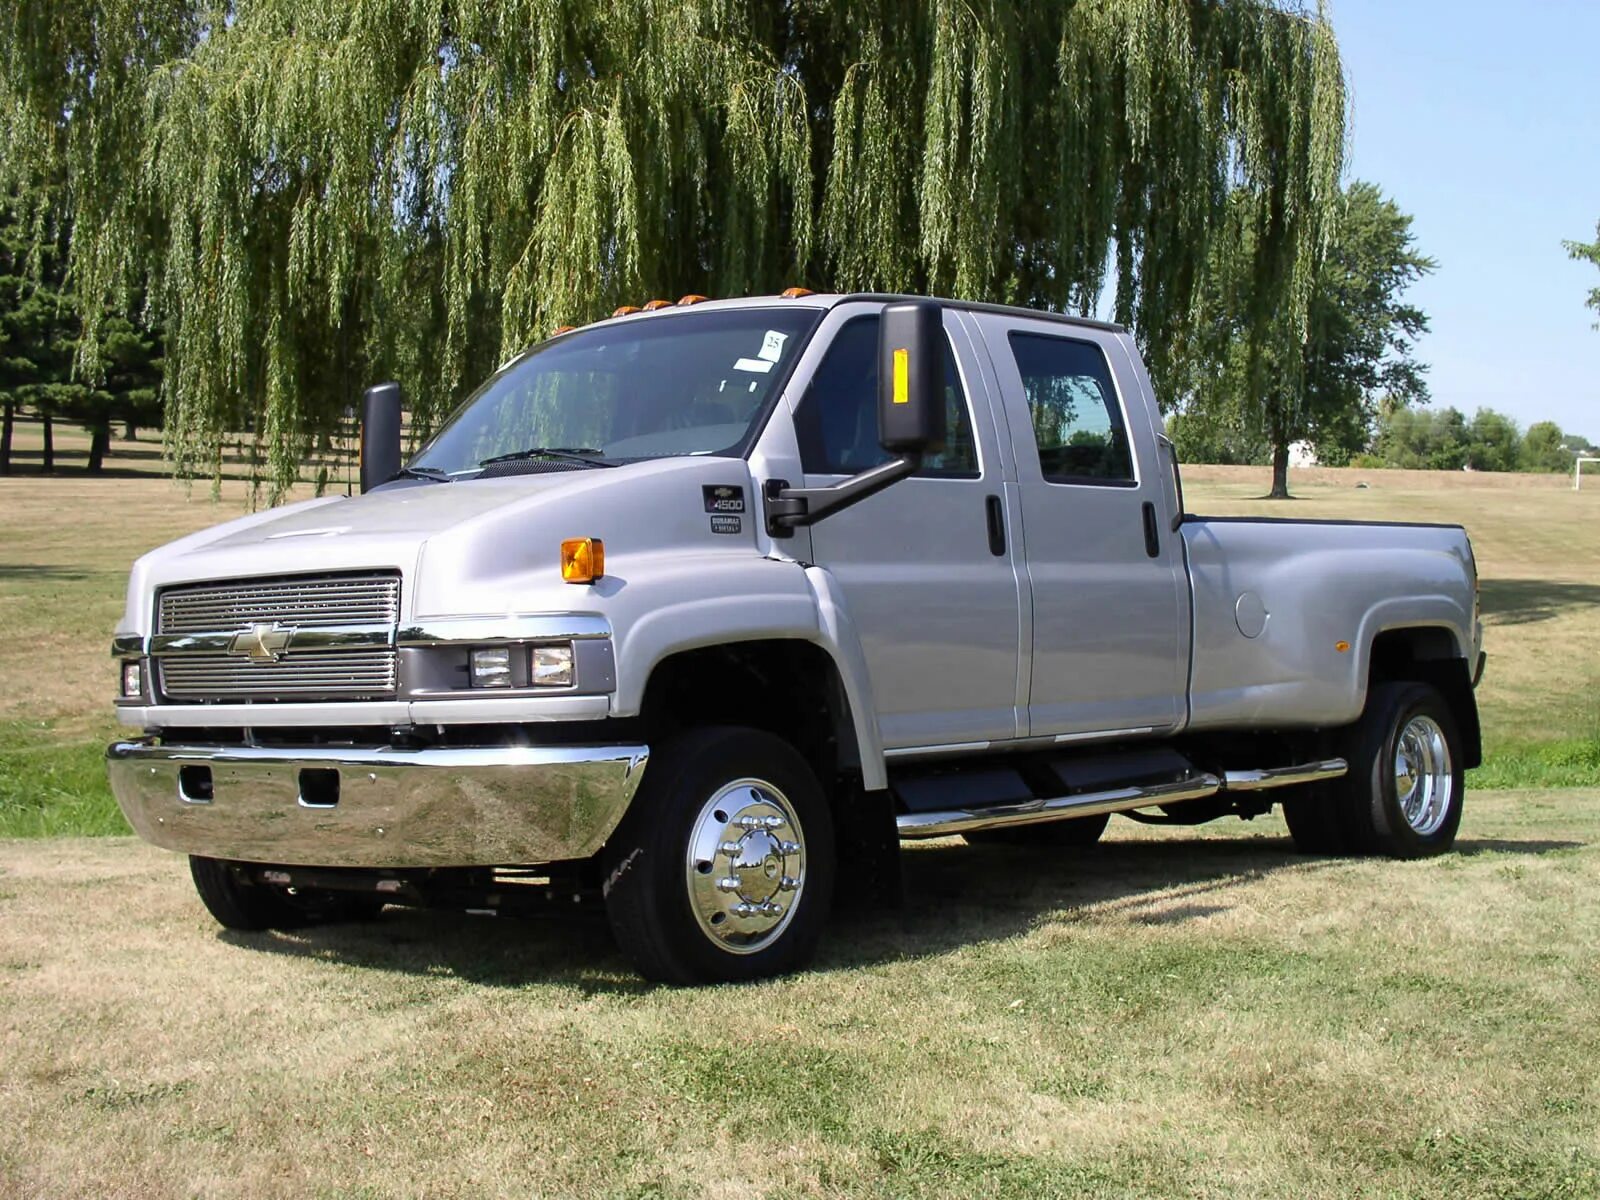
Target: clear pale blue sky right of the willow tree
[(1482, 119)]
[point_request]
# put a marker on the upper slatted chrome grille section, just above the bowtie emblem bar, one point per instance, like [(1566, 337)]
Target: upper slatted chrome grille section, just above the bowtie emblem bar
[(316, 601)]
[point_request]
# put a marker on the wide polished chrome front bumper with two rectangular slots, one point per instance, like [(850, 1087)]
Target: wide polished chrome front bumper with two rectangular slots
[(390, 809)]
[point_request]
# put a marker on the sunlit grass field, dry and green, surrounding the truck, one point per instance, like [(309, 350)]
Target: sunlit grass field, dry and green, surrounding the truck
[(1172, 1014)]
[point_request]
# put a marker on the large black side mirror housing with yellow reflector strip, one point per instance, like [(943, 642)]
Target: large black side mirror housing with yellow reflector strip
[(911, 378)]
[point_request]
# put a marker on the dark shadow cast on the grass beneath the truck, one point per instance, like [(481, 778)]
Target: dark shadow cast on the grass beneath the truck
[(956, 895)]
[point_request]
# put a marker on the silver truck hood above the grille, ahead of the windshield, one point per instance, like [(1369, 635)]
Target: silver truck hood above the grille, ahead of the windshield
[(471, 548)]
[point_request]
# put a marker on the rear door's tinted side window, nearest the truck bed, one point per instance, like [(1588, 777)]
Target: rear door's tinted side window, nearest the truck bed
[(1078, 425)]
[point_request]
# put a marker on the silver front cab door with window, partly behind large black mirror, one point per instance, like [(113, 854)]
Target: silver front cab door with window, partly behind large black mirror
[(927, 566)]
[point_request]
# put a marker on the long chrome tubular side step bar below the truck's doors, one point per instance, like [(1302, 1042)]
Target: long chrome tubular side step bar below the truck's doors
[(1196, 786)]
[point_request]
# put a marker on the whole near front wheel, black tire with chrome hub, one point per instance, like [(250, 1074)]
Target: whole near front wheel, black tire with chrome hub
[(724, 868)]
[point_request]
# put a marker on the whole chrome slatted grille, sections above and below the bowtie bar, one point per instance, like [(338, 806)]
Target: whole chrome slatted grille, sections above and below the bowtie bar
[(300, 604)]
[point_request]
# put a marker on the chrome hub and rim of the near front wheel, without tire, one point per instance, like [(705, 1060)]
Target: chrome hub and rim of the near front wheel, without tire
[(746, 866)]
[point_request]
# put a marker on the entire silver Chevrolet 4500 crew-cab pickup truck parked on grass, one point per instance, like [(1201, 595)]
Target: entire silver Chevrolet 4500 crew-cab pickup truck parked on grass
[(702, 610)]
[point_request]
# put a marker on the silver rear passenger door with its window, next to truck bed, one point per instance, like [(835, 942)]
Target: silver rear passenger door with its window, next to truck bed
[(1105, 572)]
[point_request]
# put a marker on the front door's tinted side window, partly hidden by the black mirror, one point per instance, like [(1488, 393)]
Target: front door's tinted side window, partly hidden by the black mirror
[(838, 420)]
